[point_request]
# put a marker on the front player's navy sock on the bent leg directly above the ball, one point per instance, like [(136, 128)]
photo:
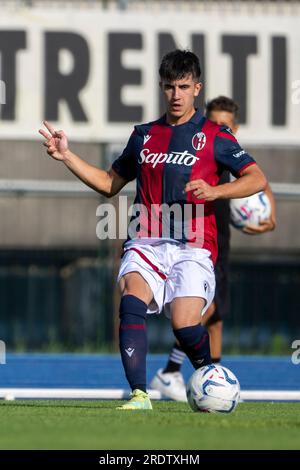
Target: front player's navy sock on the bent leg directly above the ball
[(194, 341)]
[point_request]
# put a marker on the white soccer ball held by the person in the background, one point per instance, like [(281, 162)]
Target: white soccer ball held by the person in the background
[(250, 210)]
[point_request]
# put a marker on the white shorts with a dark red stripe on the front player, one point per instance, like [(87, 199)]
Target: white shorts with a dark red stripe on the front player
[(172, 270)]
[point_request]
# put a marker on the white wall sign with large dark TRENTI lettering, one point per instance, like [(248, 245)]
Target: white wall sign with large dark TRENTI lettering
[(97, 80)]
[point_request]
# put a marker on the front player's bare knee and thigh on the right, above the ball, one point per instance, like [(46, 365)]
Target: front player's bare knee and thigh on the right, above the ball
[(186, 311)]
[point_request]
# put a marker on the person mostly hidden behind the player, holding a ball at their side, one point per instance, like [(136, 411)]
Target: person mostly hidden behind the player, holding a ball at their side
[(169, 381)]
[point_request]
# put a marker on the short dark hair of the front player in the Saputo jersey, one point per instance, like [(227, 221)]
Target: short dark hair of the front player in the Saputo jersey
[(177, 64)]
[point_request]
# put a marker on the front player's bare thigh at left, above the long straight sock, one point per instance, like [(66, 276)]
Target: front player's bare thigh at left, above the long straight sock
[(133, 283)]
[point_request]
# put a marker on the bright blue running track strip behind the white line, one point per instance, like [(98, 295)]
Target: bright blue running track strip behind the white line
[(105, 371)]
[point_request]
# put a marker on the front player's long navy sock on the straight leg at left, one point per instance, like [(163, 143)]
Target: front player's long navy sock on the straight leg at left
[(133, 340)]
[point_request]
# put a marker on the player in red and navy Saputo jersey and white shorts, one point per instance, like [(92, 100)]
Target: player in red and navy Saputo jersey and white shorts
[(176, 161)]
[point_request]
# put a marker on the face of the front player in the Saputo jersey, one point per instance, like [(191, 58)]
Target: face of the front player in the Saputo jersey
[(179, 98)]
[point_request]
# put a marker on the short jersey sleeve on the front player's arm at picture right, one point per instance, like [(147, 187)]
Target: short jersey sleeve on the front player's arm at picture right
[(229, 154)]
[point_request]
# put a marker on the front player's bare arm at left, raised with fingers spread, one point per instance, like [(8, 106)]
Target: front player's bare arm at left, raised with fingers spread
[(107, 183)]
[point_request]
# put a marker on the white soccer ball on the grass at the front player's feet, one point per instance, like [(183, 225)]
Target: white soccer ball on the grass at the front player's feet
[(213, 389)]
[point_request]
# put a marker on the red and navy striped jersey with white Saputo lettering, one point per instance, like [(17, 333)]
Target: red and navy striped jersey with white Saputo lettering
[(164, 158)]
